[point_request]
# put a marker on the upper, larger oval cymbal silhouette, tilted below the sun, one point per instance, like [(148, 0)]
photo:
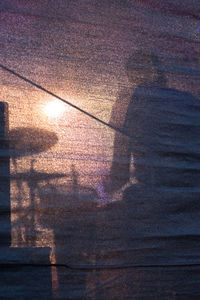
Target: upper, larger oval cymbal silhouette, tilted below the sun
[(28, 140)]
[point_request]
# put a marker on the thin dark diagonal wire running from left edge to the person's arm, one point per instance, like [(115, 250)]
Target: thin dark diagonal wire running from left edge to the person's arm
[(63, 100)]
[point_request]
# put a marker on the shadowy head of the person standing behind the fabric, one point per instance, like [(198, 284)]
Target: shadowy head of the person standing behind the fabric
[(144, 67)]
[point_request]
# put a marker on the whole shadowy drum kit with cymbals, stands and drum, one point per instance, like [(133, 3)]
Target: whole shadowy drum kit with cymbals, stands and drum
[(57, 208)]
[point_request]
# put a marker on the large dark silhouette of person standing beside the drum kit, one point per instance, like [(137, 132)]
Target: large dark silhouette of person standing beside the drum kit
[(160, 208)]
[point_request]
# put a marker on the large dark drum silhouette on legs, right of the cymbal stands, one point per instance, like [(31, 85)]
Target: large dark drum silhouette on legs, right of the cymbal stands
[(69, 209)]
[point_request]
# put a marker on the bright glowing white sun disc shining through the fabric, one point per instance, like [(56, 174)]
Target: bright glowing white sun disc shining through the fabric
[(54, 108)]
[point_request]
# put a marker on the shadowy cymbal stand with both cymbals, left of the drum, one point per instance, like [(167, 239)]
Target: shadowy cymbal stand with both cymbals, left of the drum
[(27, 141)]
